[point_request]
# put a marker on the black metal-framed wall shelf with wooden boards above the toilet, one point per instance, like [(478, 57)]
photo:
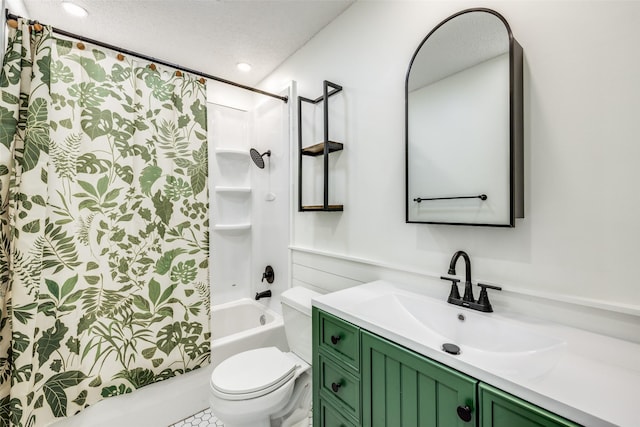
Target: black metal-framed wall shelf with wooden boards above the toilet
[(323, 148)]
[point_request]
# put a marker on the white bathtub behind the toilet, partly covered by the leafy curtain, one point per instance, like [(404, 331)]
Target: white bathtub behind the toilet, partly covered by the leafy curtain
[(236, 326)]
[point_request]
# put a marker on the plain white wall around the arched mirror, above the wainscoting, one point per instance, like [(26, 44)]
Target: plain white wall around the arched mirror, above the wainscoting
[(579, 238)]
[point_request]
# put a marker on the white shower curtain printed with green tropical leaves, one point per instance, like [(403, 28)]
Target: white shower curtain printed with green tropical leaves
[(104, 215)]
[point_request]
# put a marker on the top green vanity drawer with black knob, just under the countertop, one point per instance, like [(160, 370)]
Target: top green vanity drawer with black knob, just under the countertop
[(340, 339)]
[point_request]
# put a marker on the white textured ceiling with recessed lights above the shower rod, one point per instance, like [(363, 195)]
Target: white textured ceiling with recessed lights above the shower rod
[(210, 36)]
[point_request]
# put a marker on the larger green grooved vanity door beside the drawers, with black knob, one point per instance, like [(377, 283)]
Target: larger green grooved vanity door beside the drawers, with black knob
[(402, 388)]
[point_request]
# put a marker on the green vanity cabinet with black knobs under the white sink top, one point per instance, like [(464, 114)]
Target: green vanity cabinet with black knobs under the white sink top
[(361, 379)]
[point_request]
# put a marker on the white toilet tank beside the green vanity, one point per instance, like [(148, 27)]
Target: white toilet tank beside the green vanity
[(296, 312)]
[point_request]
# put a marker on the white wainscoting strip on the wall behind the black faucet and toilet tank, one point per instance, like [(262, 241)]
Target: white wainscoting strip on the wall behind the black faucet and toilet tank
[(327, 272)]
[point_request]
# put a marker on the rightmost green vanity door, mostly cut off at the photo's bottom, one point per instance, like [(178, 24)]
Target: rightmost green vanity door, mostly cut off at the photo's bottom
[(500, 409)]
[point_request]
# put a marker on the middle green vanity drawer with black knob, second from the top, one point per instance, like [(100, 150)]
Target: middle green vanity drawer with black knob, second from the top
[(339, 386)]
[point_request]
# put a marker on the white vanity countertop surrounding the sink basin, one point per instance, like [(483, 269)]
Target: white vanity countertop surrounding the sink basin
[(594, 382)]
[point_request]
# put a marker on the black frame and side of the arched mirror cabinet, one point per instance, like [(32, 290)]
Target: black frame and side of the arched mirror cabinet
[(516, 124)]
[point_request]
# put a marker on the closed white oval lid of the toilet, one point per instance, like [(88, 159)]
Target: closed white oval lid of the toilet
[(252, 373)]
